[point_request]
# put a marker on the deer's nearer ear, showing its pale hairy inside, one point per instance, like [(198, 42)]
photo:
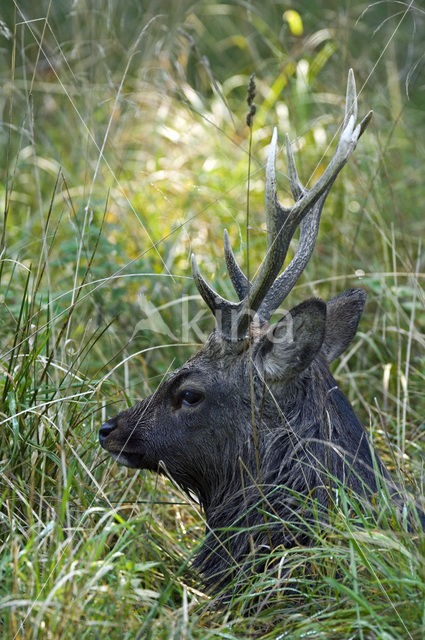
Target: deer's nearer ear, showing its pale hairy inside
[(290, 345)]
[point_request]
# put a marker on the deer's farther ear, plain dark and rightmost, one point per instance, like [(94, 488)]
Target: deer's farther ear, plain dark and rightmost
[(343, 316)]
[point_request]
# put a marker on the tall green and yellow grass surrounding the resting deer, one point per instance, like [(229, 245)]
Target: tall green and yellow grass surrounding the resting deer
[(124, 150)]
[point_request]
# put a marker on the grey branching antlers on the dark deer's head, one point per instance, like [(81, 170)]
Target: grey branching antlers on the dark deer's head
[(269, 289)]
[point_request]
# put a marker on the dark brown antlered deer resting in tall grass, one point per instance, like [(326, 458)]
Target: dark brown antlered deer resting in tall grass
[(254, 424)]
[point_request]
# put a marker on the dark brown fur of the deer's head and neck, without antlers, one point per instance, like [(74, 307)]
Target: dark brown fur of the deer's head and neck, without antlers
[(304, 433)]
